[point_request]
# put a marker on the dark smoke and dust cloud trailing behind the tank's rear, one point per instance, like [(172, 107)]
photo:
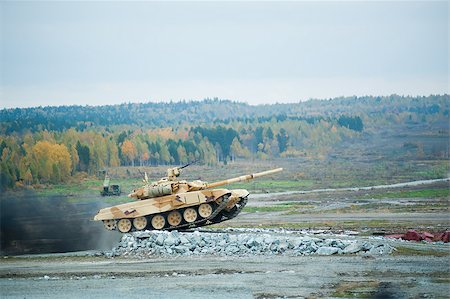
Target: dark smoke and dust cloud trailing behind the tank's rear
[(31, 224)]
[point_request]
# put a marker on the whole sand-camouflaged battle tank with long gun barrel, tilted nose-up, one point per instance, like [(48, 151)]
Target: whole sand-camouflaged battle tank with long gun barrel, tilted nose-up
[(169, 204)]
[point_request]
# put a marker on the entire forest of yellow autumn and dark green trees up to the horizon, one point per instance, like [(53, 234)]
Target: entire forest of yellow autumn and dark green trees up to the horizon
[(48, 145)]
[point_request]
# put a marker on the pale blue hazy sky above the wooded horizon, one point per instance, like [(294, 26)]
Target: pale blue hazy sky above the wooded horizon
[(96, 53)]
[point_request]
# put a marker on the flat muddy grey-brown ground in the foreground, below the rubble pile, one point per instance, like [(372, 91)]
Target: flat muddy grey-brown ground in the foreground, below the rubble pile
[(395, 276)]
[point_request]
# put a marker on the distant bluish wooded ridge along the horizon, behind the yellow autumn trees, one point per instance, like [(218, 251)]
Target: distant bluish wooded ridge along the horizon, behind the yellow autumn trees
[(211, 111)]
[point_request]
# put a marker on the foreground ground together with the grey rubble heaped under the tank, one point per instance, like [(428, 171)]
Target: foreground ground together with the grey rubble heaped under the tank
[(133, 269)]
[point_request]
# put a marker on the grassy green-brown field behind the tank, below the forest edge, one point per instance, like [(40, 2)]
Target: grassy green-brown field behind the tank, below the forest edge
[(298, 174)]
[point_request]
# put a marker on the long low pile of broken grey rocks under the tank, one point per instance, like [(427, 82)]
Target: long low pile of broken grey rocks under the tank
[(163, 243)]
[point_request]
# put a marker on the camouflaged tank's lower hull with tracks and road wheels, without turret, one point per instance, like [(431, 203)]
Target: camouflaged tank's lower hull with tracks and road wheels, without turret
[(210, 206)]
